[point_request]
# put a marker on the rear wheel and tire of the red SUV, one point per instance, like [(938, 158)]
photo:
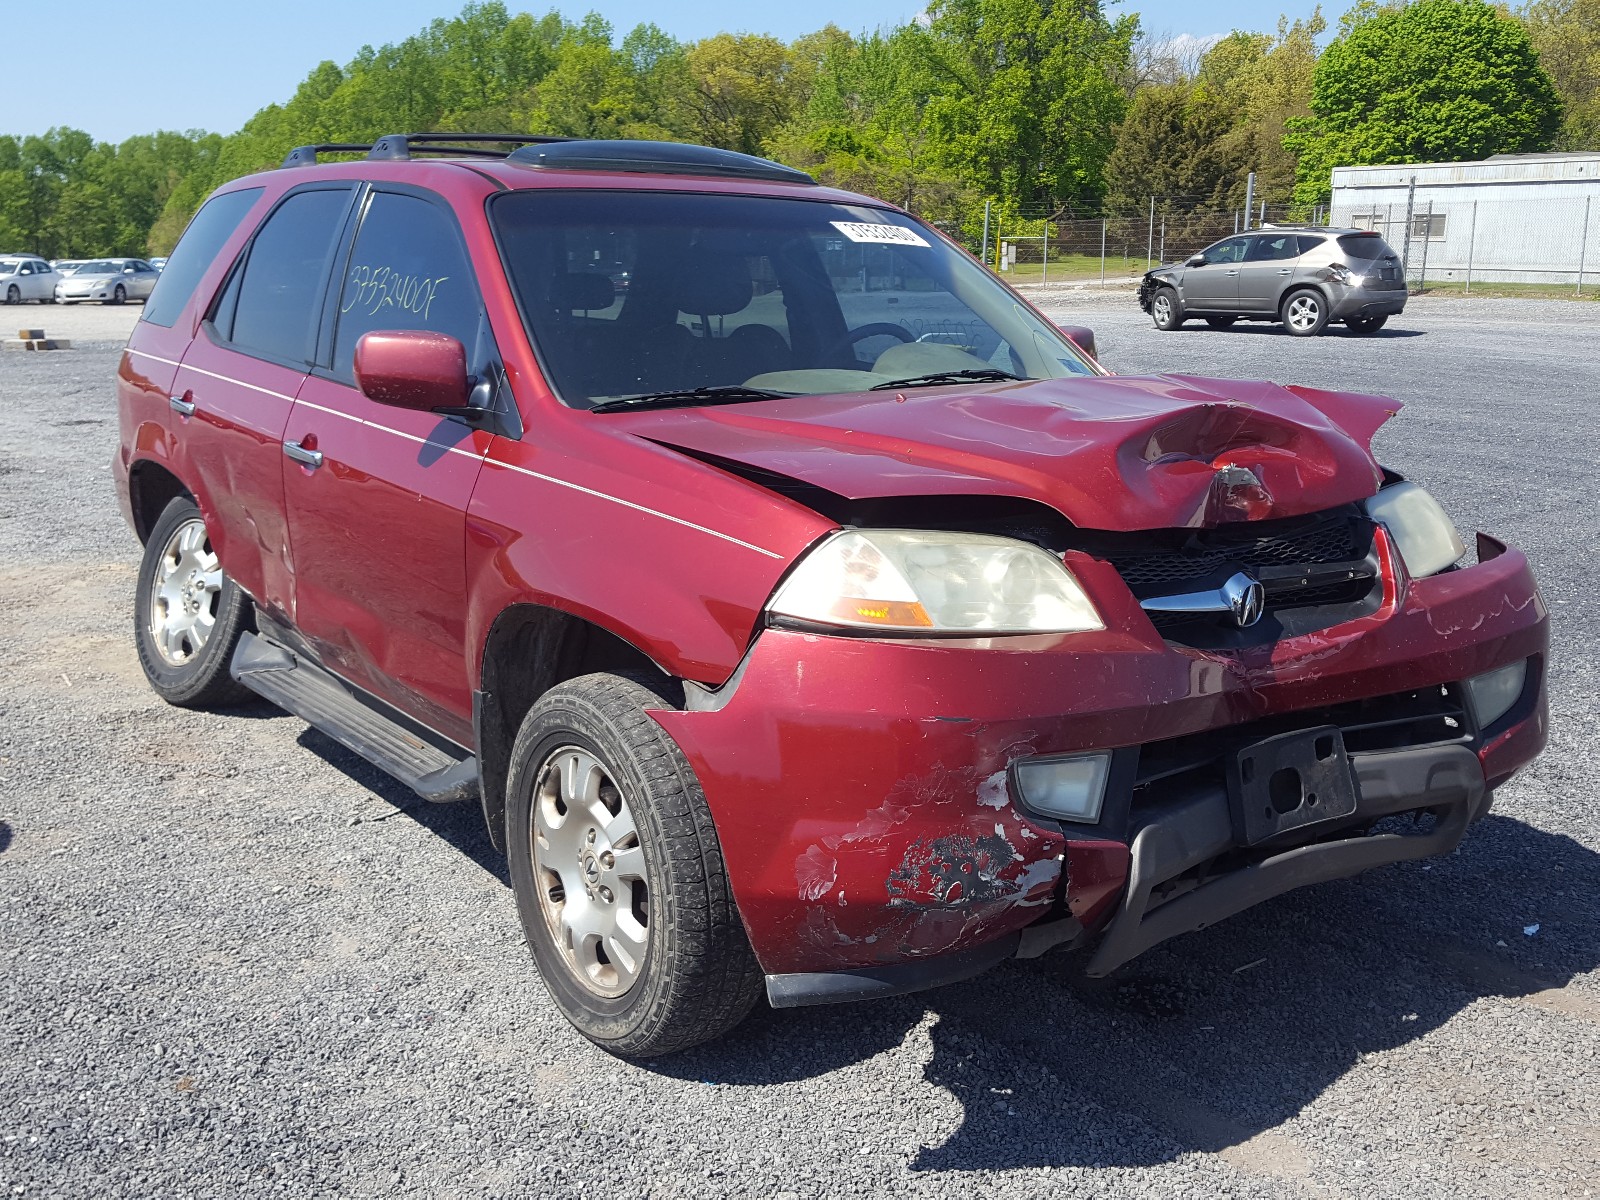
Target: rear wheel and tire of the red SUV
[(188, 615)]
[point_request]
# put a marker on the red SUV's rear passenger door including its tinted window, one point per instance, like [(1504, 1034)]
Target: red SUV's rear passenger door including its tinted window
[(238, 383)]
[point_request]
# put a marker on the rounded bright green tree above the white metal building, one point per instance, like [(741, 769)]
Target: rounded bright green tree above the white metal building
[(1436, 81)]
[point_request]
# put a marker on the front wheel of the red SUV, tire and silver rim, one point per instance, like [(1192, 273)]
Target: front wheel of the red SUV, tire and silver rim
[(618, 874)]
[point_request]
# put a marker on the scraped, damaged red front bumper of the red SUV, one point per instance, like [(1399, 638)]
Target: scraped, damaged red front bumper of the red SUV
[(876, 842)]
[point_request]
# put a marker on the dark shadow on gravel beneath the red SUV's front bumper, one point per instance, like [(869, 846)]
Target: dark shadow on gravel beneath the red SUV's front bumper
[(1217, 1038)]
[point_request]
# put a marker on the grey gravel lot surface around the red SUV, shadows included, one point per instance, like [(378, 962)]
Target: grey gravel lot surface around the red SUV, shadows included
[(234, 961)]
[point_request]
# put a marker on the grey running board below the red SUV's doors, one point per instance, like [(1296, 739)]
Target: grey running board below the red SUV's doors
[(425, 762)]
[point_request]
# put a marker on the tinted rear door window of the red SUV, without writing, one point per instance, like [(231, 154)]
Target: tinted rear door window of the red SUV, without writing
[(281, 287)]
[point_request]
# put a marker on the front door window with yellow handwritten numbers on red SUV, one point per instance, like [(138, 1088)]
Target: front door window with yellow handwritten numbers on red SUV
[(407, 271)]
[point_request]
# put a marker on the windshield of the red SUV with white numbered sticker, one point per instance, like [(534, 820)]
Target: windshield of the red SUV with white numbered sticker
[(642, 294)]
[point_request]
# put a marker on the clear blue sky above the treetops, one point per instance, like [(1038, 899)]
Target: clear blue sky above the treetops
[(116, 68)]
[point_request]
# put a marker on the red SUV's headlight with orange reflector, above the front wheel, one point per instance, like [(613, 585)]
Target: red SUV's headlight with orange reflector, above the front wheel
[(935, 583)]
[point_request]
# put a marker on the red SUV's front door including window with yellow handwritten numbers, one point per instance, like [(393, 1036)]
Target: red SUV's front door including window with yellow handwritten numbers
[(378, 522)]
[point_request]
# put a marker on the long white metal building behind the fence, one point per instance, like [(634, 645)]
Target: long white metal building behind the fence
[(1516, 218)]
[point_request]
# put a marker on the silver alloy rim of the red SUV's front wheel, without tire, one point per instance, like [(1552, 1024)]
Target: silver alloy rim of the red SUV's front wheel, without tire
[(590, 870)]
